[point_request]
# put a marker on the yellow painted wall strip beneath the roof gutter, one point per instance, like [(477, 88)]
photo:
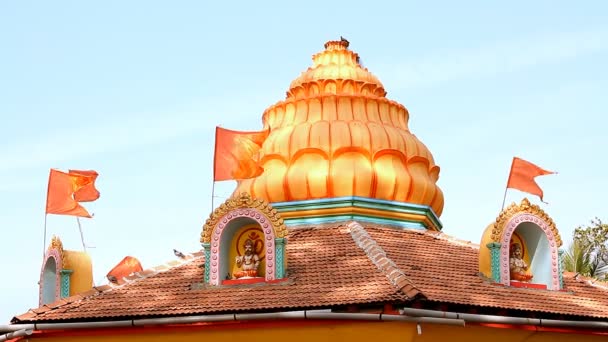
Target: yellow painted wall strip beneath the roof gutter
[(323, 331)]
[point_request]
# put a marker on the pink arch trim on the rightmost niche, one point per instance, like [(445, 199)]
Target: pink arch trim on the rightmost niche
[(508, 231)]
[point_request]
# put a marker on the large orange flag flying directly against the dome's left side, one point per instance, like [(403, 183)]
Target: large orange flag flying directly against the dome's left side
[(235, 154)]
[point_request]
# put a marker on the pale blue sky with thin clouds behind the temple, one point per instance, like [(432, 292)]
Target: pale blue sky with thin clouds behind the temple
[(134, 90)]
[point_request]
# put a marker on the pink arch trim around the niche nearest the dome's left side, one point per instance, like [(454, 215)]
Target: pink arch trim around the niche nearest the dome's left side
[(216, 238)]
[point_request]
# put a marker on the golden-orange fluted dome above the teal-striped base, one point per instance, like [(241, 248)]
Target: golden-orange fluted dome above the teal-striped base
[(336, 134)]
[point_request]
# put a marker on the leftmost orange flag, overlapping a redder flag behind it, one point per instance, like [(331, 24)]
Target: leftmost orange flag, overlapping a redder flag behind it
[(59, 196)]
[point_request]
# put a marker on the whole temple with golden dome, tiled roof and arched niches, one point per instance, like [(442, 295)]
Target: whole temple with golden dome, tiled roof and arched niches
[(339, 238)]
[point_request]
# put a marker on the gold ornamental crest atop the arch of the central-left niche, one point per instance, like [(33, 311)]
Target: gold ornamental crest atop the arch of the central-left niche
[(240, 201)]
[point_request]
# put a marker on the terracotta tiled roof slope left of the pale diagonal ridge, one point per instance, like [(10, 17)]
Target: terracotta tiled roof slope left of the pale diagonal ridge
[(326, 268)]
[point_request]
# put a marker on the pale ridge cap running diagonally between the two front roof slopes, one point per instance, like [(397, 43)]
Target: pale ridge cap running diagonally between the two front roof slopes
[(378, 257)]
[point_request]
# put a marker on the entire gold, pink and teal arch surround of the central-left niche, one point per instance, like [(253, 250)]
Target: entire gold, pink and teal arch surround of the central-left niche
[(232, 214)]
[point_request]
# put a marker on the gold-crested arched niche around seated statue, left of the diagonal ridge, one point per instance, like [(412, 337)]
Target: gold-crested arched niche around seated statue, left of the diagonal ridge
[(222, 237)]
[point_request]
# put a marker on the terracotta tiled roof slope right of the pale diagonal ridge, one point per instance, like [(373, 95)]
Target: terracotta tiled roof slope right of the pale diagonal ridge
[(446, 271)]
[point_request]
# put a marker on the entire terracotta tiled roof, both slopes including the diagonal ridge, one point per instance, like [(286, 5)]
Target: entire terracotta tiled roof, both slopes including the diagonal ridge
[(328, 266)]
